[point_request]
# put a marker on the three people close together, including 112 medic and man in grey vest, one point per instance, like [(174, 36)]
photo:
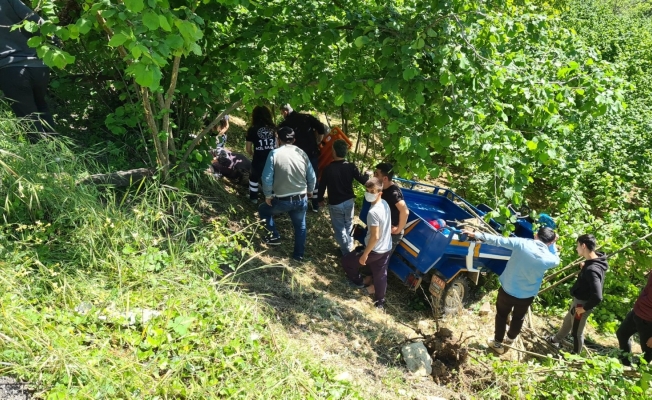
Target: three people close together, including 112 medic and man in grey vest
[(284, 162)]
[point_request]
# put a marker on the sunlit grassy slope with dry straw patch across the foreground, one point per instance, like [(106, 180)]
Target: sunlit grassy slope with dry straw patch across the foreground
[(268, 329)]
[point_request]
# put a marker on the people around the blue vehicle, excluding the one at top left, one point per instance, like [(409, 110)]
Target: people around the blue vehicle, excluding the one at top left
[(289, 179)]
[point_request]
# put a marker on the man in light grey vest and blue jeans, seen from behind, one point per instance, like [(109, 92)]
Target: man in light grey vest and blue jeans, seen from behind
[(288, 181)]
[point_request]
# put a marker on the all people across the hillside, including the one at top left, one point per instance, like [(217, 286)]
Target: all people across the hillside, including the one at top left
[(285, 163)]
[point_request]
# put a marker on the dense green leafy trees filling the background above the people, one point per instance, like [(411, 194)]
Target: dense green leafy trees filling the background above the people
[(504, 93)]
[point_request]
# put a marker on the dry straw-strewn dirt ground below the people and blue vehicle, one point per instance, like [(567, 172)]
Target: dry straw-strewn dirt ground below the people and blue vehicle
[(342, 328)]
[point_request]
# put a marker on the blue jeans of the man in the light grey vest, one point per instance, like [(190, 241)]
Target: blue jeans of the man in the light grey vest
[(296, 208)]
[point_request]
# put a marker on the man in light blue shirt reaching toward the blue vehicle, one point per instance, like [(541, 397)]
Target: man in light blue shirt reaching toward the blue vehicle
[(521, 279)]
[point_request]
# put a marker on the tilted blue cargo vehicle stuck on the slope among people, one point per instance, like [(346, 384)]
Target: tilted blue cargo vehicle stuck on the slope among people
[(435, 253)]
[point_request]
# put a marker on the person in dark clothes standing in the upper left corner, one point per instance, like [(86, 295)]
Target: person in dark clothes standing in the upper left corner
[(23, 77)]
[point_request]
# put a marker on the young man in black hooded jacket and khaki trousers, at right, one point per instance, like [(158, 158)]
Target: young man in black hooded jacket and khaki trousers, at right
[(586, 293)]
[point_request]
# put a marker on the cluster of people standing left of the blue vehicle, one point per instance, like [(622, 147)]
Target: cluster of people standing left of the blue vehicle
[(285, 166)]
